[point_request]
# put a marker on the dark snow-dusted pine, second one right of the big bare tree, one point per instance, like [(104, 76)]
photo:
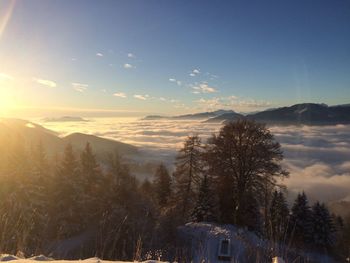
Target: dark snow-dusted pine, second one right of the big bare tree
[(301, 221)]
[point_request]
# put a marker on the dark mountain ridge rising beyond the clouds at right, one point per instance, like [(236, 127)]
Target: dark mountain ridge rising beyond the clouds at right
[(305, 113)]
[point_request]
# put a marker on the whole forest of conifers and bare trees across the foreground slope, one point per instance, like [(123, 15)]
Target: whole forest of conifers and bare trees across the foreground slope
[(98, 208)]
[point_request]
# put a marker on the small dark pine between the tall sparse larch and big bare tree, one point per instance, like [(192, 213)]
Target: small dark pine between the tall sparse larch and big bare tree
[(204, 209)]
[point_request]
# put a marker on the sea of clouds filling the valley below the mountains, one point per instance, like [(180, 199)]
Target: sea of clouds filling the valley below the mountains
[(317, 157)]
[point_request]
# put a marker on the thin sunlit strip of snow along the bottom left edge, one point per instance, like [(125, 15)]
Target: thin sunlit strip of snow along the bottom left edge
[(6, 257)]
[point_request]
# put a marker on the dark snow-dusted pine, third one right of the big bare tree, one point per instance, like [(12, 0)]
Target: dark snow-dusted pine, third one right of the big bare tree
[(323, 234)]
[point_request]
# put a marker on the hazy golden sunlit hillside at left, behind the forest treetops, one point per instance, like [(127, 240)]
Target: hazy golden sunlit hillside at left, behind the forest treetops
[(16, 130)]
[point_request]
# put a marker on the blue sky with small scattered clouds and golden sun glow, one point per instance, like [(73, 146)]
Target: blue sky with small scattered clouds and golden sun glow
[(132, 58)]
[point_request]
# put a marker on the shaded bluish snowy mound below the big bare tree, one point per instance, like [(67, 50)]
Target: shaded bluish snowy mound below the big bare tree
[(202, 240)]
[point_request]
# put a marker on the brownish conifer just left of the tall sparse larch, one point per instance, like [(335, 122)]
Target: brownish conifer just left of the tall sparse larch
[(162, 185)]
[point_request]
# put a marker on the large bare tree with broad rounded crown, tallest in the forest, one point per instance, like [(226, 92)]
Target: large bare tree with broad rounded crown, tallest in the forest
[(245, 160)]
